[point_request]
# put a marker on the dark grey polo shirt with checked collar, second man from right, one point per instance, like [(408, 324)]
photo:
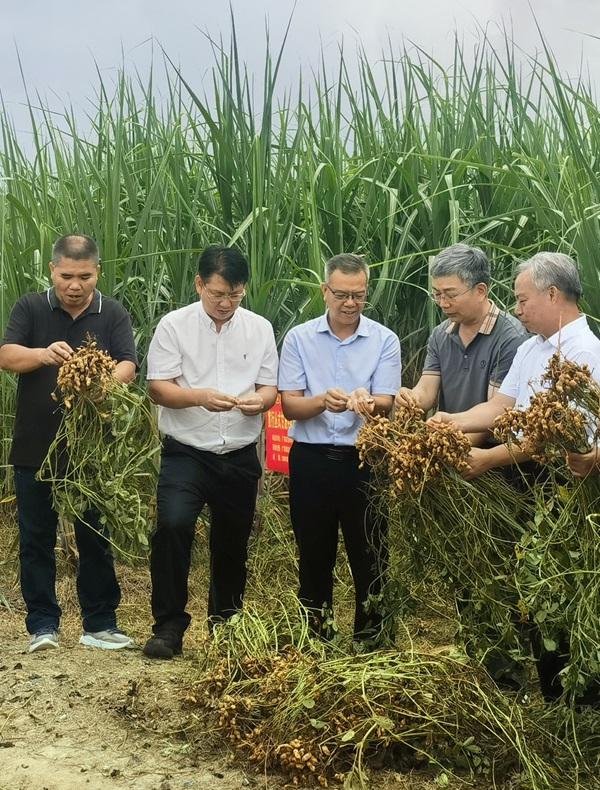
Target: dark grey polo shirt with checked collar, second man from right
[(467, 372)]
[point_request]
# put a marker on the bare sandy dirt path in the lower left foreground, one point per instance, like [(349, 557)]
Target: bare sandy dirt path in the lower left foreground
[(60, 726)]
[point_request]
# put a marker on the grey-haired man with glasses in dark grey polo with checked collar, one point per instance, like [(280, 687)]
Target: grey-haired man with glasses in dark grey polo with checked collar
[(470, 353)]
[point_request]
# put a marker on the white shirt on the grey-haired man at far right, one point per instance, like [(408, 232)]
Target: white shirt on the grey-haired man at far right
[(576, 342)]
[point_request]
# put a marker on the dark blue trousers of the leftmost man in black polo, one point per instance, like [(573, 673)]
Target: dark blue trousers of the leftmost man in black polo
[(97, 586)]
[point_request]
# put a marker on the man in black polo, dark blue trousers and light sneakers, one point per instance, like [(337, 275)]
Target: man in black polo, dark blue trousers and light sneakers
[(43, 331)]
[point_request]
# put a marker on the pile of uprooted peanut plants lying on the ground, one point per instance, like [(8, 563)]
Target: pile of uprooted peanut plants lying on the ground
[(323, 717)]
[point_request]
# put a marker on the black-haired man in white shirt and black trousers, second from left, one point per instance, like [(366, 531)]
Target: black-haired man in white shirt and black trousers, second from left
[(212, 370)]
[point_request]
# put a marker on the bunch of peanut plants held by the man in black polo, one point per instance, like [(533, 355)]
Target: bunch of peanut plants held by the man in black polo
[(104, 455)]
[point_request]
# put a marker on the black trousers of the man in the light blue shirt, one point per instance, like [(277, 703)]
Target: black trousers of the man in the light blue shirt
[(328, 493)]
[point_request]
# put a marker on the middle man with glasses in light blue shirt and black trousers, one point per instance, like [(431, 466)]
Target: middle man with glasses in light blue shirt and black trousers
[(333, 370)]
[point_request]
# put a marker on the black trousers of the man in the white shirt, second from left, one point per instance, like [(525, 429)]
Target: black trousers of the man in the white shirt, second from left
[(188, 480)]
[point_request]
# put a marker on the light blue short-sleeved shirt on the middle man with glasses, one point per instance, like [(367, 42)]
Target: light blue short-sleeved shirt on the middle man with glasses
[(313, 359)]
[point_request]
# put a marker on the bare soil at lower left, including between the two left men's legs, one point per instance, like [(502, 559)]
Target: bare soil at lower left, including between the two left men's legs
[(78, 717)]
